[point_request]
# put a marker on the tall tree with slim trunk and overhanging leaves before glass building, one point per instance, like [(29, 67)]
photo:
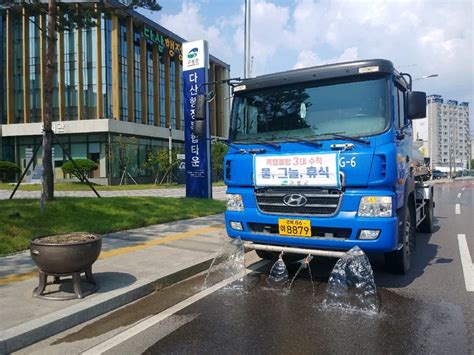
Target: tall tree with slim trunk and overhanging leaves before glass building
[(53, 26)]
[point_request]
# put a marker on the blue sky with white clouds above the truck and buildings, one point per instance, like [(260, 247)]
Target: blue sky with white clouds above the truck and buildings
[(421, 37)]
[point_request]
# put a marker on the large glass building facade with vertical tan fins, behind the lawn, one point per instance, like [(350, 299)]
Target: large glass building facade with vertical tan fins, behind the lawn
[(123, 68)]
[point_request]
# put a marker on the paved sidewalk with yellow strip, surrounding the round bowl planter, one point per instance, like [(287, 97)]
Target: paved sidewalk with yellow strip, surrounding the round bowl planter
[(132, 264)]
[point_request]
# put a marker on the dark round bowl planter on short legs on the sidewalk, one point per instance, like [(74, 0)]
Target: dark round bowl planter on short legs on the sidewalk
[(66, 255)]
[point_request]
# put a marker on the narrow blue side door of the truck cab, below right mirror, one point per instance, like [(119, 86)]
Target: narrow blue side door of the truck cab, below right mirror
[(403, 142)]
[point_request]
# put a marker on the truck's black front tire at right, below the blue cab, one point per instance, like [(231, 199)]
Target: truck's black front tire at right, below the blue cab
[(398, 261)]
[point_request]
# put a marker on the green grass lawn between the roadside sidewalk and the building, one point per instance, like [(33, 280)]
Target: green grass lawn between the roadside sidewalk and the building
[(93, 215)]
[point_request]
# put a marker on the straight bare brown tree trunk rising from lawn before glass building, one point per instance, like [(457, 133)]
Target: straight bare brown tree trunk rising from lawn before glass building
[(48, 174)]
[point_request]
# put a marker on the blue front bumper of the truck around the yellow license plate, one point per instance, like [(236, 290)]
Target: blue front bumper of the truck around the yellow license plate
[(338, 232)]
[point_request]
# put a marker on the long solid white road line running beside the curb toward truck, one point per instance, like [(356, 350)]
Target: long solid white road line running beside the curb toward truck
[(149, 322)]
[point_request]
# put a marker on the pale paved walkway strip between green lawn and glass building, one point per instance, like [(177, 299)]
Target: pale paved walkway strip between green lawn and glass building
[(218, 193)]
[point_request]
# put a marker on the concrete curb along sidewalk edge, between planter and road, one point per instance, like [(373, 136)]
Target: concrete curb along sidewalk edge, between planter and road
[(28, 333)]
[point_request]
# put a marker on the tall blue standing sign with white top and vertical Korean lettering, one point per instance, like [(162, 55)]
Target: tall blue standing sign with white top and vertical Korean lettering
[(197, 149)]
